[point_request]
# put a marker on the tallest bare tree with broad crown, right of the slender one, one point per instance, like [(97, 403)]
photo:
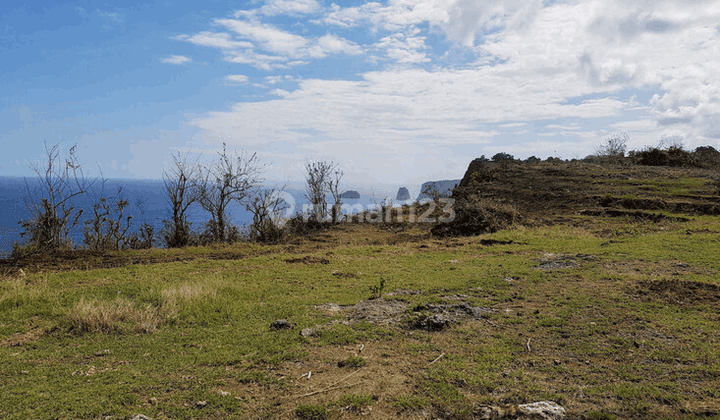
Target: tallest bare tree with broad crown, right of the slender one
[(228, 179)]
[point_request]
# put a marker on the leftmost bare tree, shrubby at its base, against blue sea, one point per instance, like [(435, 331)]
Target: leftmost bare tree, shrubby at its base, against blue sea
[(53, 214)]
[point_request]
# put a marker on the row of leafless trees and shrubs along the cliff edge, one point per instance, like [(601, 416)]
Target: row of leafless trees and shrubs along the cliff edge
[(232, 177)]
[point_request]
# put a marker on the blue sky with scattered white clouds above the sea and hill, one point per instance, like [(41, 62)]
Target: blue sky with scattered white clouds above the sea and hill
[(397, 92)]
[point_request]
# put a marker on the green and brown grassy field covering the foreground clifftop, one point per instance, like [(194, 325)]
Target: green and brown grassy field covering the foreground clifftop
[(609, 317)]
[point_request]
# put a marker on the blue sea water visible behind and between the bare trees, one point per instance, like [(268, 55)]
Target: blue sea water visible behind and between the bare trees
[(154, 208)]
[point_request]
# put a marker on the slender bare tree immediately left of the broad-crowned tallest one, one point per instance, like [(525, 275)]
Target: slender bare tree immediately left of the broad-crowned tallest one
[(180, 186)]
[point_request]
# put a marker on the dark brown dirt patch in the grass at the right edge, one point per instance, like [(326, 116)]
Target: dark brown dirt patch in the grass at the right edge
[(678, 292)]
